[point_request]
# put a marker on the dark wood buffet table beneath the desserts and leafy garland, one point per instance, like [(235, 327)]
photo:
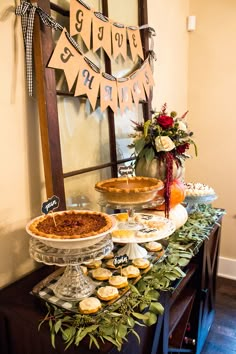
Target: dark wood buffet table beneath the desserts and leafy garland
[(189, 312)]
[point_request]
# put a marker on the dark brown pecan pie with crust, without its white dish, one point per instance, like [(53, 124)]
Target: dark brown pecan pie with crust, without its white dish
[(70, 224)]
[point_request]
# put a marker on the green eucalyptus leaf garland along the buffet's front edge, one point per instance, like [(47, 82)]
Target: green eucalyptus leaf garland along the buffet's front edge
[(141, 306)]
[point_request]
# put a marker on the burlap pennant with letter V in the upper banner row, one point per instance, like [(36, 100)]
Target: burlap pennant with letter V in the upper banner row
[(119, 41)]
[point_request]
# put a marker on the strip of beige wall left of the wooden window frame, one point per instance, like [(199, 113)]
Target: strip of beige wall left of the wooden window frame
[(20, 179)]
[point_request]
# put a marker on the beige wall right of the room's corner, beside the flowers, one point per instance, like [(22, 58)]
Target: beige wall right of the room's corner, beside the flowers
[(211, 98)]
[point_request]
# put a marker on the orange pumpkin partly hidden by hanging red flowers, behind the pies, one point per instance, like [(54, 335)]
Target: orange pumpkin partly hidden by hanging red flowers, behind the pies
[(177, 194)]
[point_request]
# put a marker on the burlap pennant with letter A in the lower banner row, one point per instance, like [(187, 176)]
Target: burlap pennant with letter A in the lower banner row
[(108, 94)]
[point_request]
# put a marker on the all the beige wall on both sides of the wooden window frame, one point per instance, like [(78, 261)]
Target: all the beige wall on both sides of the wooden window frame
[(200, 79)]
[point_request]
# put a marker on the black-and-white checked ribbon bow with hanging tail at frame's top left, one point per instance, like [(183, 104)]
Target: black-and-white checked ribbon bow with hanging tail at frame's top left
[(27, 12)]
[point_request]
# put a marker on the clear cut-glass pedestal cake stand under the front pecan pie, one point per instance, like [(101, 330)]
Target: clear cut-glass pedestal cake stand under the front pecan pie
[(73, 285)]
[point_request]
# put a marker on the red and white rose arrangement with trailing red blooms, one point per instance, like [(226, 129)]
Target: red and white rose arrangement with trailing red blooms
[(166, 138)]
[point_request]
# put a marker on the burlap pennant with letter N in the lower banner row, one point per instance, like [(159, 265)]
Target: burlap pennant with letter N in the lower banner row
[(124, 94)]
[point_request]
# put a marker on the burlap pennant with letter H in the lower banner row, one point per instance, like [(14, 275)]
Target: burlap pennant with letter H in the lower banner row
[(88, 83)]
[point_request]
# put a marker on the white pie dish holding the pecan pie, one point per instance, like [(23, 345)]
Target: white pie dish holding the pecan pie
[(75, 243)]
